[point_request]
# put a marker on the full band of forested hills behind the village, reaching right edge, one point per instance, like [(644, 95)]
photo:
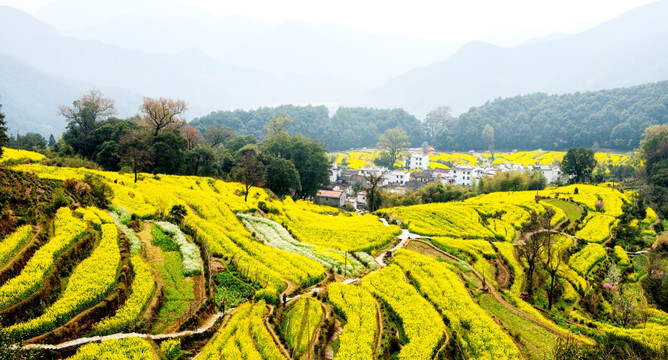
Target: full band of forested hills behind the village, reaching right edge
[(613, 119)]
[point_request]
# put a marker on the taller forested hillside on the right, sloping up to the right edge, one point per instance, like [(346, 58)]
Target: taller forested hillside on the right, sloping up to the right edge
[(612, 118)]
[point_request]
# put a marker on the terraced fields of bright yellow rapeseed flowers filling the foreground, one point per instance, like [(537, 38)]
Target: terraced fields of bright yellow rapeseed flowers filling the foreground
[(299, 280)]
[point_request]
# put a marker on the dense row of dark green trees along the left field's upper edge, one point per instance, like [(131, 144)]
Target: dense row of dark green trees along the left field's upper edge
[(158, 140)]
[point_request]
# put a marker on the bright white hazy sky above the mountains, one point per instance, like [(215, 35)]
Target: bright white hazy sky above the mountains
[(448, 21)]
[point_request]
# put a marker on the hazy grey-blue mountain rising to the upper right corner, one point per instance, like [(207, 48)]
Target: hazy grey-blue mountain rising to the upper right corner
[(628, 50)]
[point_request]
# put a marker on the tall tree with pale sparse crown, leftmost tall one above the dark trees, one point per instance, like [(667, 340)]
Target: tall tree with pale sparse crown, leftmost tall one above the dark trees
[(83, 117)]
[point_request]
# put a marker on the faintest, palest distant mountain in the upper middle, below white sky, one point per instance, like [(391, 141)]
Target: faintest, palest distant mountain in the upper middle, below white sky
[(367, 60)]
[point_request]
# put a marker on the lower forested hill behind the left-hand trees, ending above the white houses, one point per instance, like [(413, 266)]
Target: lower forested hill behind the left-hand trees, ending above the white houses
[(347, 128)]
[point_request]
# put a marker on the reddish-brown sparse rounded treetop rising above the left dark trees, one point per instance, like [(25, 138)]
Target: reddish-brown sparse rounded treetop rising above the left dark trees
[(162, 114)]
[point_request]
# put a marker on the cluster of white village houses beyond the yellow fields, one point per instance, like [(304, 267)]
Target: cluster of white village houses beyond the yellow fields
[(344, 183)]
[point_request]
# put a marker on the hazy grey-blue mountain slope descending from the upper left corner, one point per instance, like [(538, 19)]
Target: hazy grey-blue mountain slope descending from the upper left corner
[(205, 83)]
